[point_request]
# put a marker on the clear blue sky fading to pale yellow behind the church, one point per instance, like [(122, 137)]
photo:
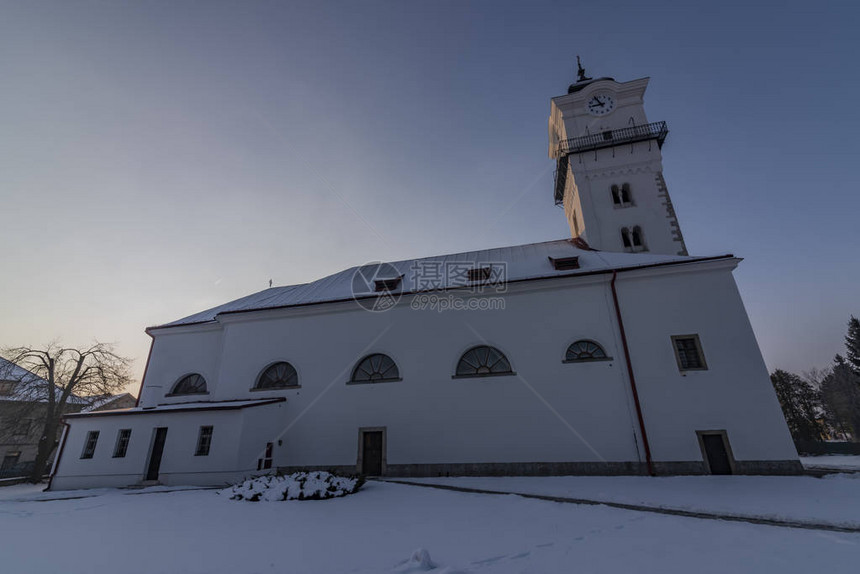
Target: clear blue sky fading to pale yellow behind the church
[(159, 158)]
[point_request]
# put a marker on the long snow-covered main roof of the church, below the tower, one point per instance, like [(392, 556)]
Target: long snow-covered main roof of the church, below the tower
[(521, 262)]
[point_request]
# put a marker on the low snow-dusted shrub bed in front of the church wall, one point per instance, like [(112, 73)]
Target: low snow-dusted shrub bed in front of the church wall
[(316, 485)]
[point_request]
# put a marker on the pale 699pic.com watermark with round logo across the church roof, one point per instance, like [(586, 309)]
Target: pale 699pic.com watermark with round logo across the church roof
[(378, 286)]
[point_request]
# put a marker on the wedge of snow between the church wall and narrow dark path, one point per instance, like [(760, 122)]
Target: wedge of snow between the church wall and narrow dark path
[(834, 499)]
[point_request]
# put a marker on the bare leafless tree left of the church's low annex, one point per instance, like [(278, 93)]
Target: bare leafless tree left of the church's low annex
[(55, 377)]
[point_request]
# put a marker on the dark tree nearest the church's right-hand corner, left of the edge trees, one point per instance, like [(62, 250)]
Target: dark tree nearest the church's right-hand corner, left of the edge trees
[(800, 404)]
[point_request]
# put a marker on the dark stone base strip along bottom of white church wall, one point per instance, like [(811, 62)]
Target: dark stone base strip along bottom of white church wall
[(662, 468)]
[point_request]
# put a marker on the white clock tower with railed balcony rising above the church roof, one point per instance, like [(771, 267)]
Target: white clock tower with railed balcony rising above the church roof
[(609, 175)]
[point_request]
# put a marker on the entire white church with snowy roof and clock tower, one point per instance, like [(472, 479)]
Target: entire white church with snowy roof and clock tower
[(611, 352)]
